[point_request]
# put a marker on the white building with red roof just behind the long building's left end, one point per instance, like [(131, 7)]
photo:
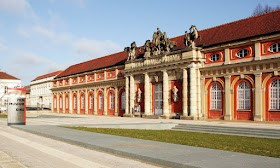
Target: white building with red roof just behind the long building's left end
[(40, 93)]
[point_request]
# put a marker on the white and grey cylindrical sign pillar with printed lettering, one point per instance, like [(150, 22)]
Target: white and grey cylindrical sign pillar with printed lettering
[(16, 106)]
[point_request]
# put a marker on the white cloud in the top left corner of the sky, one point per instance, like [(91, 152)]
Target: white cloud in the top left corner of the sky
[(17, 7)]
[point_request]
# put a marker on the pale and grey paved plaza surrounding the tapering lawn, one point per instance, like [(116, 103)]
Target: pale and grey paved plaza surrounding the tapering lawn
[(77, 148)]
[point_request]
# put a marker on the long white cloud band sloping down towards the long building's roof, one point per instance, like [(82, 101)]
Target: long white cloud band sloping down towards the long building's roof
[(85, 47)]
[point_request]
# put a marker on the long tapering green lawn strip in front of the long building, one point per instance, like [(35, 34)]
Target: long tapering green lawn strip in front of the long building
[(251, 145)]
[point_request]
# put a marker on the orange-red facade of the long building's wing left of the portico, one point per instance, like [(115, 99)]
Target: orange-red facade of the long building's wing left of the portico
[(92, 93)]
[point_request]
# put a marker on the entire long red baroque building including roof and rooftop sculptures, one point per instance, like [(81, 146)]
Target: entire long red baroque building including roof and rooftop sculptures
[(228, 72)]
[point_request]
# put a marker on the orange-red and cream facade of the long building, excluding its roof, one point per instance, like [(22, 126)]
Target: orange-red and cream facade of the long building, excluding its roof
[(187, 82)]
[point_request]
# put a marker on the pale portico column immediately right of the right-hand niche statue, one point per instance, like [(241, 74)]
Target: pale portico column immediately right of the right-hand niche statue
[(185, 92)]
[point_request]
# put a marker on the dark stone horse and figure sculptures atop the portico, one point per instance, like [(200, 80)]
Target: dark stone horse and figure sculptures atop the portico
[(160, 44)]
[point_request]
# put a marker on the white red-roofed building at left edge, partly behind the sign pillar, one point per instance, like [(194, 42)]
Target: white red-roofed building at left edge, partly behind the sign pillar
[(6, 81)]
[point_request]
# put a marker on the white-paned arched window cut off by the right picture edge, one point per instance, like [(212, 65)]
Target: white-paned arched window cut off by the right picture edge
[(275, 95)]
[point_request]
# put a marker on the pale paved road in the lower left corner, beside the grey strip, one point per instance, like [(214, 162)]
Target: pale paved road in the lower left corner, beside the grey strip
[(21, 149)]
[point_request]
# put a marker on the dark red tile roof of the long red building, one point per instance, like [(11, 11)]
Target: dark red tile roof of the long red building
[(268, 23)]
